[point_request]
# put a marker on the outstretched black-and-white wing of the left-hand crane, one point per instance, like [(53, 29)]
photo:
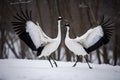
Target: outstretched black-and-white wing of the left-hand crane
[(28, 31)]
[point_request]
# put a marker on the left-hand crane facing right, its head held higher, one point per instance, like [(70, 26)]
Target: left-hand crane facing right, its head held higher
[(34, 37)]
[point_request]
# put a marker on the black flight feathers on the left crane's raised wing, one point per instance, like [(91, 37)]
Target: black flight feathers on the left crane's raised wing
[(20, 28)]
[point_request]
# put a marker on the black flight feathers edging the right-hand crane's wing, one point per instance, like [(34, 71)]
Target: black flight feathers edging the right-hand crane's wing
[(107, 27)]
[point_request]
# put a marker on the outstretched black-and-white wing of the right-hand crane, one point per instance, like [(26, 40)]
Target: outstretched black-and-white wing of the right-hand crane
[(96, 37)]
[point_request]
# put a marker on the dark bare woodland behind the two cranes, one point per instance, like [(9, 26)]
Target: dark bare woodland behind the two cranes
[(81, 14)]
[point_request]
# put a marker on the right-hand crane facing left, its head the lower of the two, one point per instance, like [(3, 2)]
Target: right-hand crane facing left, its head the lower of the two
[(90, 41)]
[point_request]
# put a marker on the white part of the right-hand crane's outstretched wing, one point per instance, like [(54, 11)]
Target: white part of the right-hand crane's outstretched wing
[(90, 37)]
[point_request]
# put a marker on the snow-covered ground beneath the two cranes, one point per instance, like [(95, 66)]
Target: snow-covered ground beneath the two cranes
[(14, 69)]
